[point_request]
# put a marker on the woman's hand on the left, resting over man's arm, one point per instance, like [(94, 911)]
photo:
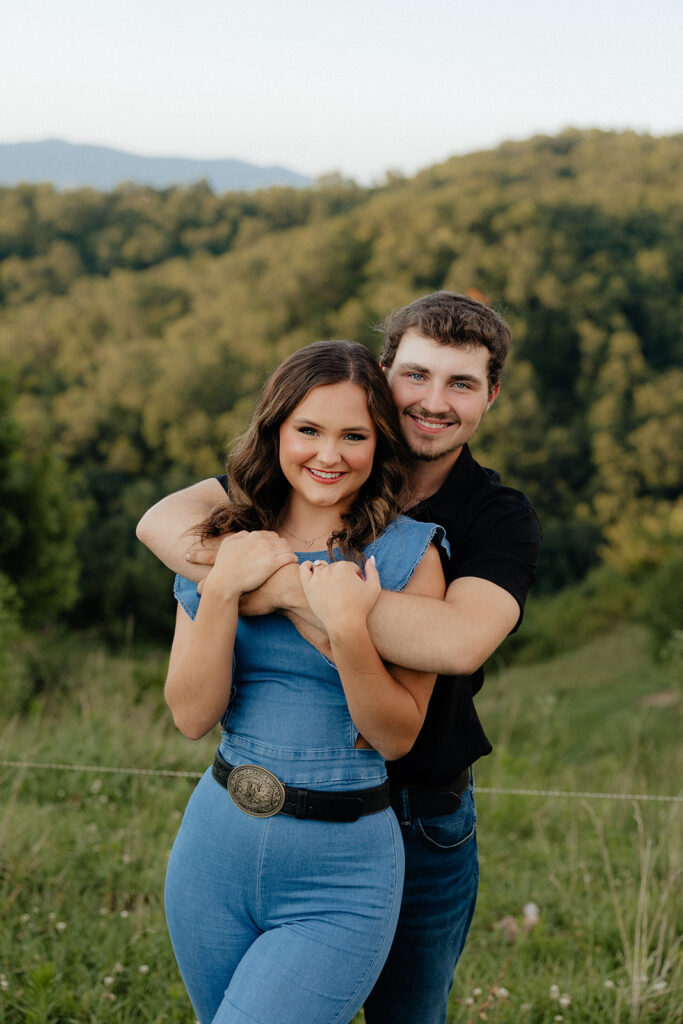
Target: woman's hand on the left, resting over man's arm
[(245, 561)]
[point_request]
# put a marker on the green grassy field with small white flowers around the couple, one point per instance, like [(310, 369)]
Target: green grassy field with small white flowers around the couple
[(82, 856)]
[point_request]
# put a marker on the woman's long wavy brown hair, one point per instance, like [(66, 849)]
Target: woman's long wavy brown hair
[(259, 487)]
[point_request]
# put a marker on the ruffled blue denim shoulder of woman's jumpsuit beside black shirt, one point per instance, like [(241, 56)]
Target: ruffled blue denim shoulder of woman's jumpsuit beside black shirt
[(401, 548)]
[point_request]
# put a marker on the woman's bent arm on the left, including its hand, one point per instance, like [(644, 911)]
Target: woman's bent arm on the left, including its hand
[(200, 672)]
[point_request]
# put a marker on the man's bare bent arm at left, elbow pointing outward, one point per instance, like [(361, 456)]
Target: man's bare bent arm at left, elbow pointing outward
[(166, 528)]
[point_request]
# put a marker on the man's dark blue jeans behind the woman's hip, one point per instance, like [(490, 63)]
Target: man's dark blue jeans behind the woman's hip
[(440, 893)]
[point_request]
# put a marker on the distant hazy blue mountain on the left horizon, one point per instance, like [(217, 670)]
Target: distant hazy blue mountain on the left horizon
[(70, 166)]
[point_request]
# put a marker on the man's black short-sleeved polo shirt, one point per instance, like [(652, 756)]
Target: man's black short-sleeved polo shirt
[(494, 535)]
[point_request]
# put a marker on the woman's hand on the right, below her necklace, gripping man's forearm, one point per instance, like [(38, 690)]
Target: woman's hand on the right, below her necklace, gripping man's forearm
[(337, 593)]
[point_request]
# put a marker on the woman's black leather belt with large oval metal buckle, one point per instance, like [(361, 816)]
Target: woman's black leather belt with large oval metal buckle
[(258, 792)]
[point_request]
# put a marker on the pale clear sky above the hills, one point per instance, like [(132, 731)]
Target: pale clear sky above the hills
[(359, 89)]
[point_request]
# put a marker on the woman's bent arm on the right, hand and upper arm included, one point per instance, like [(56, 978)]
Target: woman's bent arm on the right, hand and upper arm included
[(388, 704)]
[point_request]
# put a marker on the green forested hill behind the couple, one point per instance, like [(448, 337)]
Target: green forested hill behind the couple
[(138, 326)]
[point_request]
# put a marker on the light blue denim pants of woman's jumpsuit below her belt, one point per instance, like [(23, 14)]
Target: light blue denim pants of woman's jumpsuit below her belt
[(279, 921)]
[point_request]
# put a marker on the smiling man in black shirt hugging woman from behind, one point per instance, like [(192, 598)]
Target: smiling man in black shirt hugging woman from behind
[(443, 357)]
